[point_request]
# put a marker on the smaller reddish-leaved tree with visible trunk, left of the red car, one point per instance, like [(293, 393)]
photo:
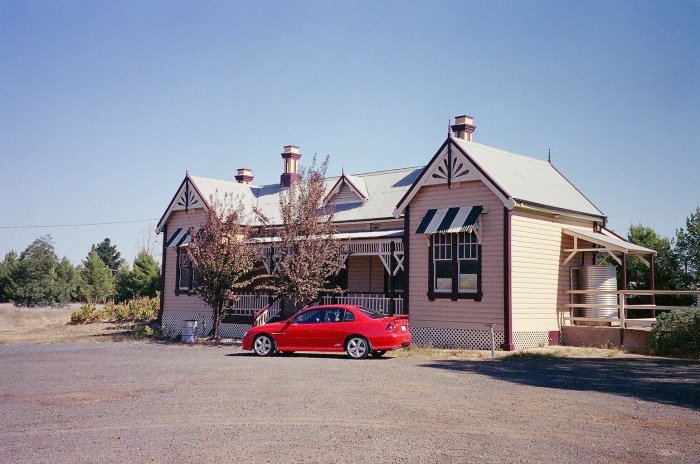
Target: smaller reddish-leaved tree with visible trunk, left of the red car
[(222, 256)]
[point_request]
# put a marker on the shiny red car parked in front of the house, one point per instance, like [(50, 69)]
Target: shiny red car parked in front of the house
[(354, 329)]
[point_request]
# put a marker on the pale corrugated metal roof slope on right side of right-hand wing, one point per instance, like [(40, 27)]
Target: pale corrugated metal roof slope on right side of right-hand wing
[(527, 179)]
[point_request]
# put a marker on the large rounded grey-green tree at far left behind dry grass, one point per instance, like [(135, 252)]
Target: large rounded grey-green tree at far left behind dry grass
[(34, 275)]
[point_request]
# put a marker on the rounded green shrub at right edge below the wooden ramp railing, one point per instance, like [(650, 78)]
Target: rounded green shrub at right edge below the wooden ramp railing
[(677, 333)]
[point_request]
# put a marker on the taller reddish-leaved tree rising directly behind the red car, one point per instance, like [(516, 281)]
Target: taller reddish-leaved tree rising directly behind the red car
[(309, 253)]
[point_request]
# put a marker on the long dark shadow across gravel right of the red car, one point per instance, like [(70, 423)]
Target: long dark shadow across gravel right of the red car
[(667, 381)]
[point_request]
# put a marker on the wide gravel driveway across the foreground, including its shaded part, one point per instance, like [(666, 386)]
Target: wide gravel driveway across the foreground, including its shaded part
[(126, 402)]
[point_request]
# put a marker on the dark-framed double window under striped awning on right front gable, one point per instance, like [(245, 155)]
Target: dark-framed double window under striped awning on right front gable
[(455, 266)]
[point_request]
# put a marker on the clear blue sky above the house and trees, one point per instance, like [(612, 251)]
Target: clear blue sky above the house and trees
[(104, 105)]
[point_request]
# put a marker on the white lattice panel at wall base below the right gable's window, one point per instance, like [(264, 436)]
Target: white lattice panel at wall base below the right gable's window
[(456, 338)]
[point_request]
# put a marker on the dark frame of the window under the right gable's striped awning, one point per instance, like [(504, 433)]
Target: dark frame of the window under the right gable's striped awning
[(453, 242)]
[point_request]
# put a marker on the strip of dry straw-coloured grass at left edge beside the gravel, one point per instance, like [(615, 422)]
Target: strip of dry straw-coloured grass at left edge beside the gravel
[(50, 325)]
